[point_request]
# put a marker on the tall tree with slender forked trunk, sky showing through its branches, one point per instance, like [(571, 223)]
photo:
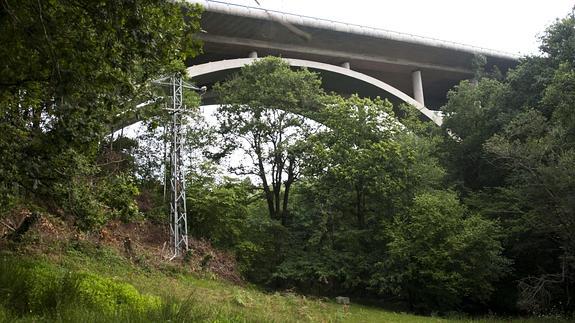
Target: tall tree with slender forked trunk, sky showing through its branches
[(262, 113)]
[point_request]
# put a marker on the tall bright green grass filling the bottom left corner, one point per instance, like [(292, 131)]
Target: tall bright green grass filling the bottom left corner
[(35, 290)]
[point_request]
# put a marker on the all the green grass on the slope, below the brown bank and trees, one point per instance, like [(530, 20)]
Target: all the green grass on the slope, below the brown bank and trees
[(182, 297)]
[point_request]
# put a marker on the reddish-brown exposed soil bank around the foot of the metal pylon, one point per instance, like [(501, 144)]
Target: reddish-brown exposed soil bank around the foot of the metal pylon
[(138, 241)]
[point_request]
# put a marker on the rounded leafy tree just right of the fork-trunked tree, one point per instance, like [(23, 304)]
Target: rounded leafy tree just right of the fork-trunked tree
[(355, 155)]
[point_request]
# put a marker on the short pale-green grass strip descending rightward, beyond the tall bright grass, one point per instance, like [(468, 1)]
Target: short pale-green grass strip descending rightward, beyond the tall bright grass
[(213, 300)]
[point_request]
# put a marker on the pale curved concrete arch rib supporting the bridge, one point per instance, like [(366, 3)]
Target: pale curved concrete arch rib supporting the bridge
[(231, 64)]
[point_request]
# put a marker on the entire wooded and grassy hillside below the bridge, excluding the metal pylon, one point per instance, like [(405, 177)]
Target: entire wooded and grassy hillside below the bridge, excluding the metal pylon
[(295, 196)]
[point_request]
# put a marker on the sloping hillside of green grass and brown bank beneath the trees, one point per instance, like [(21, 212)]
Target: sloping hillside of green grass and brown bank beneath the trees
[(55, 273)]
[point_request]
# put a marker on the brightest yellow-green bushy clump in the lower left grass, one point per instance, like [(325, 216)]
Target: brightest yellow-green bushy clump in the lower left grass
[(35, 287)]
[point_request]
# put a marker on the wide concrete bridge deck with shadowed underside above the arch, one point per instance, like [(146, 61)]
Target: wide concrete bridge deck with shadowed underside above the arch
[(233, 31)]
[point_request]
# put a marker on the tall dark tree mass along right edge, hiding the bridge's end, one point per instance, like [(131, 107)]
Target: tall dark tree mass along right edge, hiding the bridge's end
[(513, 148)]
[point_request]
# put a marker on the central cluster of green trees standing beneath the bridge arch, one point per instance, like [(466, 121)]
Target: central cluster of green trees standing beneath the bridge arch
[(360, 211)]
